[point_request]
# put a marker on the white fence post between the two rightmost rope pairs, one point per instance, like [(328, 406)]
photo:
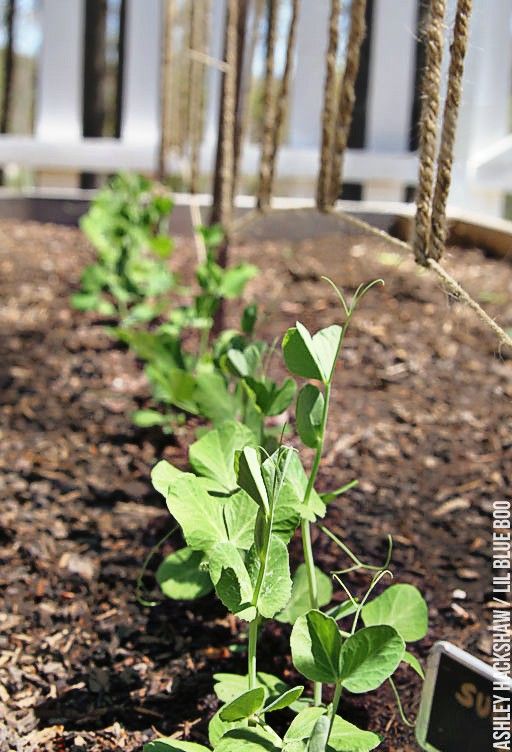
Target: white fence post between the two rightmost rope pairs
[(391, 87)]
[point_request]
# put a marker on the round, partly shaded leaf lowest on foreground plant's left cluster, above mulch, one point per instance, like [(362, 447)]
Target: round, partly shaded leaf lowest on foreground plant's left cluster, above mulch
[(180, 576)]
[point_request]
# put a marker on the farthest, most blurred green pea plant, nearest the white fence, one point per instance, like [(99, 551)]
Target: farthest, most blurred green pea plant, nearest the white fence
[(126, 224)]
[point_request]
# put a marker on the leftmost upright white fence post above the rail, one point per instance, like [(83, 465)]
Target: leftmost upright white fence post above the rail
[(59, 88)]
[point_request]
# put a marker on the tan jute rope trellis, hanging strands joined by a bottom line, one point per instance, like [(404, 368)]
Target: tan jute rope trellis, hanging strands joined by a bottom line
[(436, 144)]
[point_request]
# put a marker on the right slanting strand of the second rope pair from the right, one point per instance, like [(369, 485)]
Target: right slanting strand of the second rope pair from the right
[(347, 95)]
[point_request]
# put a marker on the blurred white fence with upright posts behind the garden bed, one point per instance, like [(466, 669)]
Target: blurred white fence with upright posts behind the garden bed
[(385, 166)]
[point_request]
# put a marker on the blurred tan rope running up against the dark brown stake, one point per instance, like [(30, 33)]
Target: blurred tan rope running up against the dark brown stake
[(228, 116)]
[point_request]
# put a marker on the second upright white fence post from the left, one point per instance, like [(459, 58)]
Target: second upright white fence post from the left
[(141, 94)]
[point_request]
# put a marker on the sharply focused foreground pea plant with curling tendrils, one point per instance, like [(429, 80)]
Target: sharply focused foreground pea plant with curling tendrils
[(238, 508)]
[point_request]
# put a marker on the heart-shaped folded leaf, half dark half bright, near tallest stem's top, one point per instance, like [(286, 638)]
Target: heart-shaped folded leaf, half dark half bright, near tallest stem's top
[(312, 357)]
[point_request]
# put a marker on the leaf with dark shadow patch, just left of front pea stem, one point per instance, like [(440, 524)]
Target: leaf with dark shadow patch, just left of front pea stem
[(231, 579)]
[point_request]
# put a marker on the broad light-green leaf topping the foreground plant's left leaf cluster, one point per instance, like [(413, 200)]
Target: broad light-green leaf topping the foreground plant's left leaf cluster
[(213, 454)]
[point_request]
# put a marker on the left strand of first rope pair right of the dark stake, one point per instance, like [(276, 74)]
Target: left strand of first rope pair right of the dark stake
[(268, 106)]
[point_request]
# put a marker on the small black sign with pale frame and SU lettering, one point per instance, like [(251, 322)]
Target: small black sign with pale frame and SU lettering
[(456, 710)]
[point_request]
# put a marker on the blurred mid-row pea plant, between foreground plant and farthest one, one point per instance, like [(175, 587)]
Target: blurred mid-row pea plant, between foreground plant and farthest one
[(233, 366)]
